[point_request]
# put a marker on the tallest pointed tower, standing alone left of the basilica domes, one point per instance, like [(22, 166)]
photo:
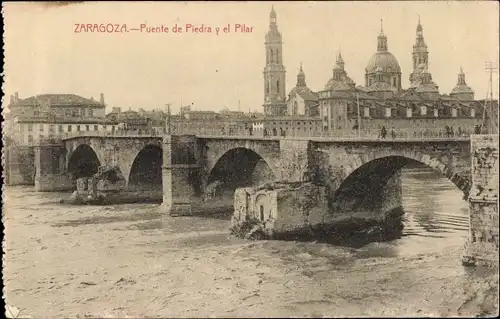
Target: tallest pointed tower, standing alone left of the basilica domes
[(274, 71)]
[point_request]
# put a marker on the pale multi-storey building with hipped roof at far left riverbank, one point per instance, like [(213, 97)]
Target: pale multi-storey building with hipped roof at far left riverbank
[(52, 115)]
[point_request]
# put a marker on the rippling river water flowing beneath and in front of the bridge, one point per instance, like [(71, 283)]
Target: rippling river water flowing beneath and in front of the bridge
[(132, 261)]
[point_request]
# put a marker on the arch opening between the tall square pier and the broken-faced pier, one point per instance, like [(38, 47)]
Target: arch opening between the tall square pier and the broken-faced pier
[(240, 167)]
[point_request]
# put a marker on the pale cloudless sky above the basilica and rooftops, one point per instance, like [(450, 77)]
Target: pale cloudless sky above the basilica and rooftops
[(44, 54)]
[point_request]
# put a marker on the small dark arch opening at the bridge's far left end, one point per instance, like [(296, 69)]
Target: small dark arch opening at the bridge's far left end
[(83, 161)]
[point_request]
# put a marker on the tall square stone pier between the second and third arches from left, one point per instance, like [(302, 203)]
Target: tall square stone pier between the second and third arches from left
[(180, 174)]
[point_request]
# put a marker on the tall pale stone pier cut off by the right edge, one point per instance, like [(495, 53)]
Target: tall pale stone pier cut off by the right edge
[(482, 245)]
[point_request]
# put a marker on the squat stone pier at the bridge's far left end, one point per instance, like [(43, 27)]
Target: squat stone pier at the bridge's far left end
[(50, 167)]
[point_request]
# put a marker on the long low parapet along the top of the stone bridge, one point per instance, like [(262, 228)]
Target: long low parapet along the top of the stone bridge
[(371, 134)]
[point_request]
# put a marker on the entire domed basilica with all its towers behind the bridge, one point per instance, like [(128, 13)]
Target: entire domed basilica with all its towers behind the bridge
[(380, 101)]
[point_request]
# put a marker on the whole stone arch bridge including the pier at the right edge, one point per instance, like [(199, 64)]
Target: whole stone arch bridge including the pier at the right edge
[(356, 173)]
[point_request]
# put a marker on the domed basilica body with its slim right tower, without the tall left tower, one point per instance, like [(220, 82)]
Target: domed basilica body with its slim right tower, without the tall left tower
[(382, 102)]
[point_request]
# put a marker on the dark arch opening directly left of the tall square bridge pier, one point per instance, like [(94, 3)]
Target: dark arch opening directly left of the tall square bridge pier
[(146, 168)]
